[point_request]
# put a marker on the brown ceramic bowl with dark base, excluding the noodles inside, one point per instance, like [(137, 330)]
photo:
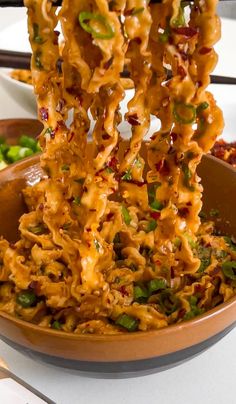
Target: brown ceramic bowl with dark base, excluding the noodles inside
[(130, 354)]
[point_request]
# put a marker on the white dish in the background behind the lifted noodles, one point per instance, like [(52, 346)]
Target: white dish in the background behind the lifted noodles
[(224, 94)]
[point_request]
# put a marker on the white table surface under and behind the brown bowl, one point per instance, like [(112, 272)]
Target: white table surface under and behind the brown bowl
[(207, 379)]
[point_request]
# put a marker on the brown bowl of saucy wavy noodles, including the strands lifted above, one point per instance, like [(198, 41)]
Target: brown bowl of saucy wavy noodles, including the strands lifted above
[(115, 262)]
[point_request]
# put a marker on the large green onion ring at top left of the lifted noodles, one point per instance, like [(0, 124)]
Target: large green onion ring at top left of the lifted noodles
[(85, 17)]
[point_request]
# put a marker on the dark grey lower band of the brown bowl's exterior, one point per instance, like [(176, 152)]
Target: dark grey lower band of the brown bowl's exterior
[(117, 370)]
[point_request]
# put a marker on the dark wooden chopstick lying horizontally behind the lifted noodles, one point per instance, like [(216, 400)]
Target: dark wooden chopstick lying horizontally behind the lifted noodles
[(21, 60)]
